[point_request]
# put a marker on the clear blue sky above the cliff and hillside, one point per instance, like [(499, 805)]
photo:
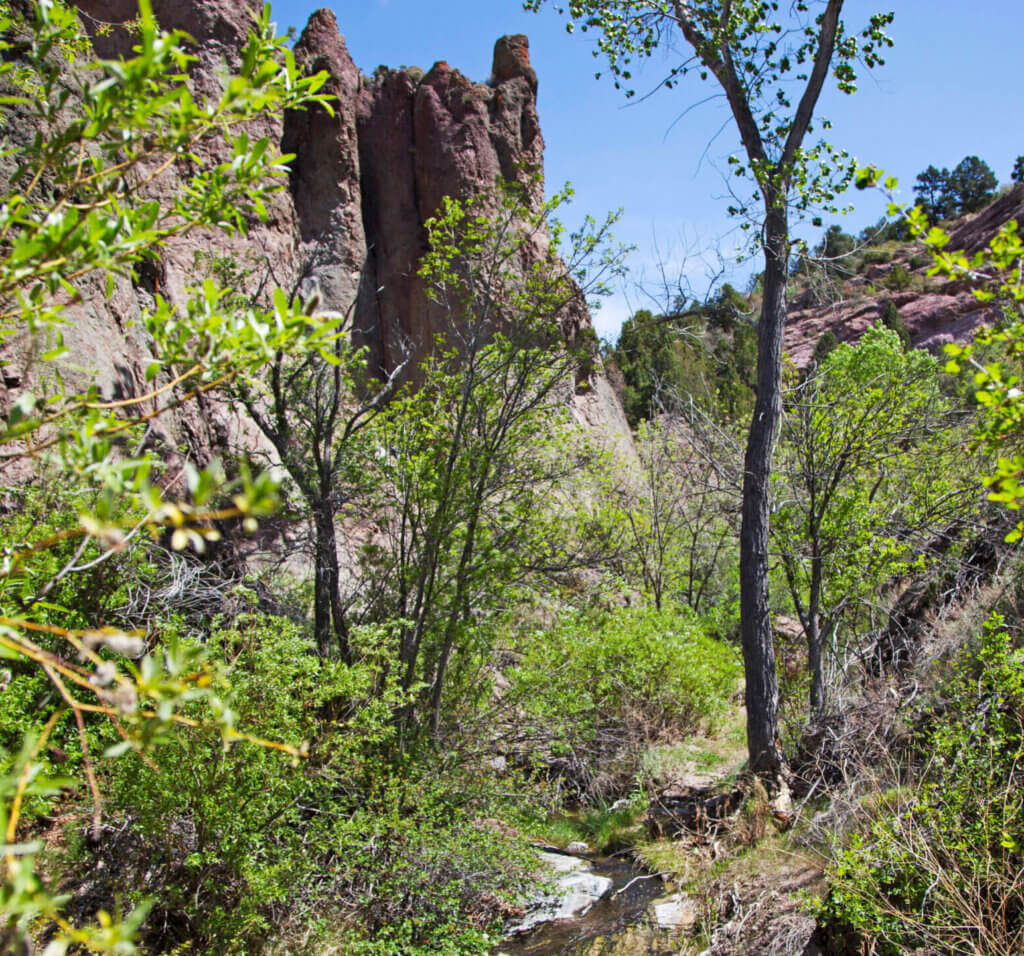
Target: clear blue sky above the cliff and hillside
[(953, 86)]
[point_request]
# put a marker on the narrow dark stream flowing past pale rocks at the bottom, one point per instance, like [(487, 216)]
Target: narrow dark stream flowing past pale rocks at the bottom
[(621, 909)]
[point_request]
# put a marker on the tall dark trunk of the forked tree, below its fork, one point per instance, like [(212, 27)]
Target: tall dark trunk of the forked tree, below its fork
[(759, 647)]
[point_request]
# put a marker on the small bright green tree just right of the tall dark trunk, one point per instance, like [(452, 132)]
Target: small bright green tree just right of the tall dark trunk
[(867, 464)]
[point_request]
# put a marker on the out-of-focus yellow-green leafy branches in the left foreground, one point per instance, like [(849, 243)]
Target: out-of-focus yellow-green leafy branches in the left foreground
[(80, 205)]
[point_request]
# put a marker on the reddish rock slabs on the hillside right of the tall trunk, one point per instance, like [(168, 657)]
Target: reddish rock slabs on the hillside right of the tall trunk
[(935, 312)]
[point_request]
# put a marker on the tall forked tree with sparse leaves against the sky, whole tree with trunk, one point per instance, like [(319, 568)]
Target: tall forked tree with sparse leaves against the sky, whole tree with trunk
[(754, 54)]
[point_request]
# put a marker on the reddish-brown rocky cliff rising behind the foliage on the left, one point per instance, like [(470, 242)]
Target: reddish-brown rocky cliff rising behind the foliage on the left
[(364, 182)]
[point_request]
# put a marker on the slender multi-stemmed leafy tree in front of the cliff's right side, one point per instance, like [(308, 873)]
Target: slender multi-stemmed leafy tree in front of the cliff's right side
[(470, 460)]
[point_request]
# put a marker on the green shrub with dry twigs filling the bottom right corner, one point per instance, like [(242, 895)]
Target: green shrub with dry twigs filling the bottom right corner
[(941, 865)]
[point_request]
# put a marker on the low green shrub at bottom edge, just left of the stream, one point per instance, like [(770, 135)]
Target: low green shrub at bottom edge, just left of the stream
[(432, 871)]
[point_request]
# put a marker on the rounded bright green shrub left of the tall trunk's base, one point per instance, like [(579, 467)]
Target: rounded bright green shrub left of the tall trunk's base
[(600, 686)]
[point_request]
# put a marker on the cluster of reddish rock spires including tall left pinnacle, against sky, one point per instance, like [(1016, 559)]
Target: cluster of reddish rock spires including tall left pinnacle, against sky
[(367, 180)]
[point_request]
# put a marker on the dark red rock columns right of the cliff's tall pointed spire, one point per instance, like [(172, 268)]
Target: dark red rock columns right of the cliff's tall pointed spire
[(422, 139)]
